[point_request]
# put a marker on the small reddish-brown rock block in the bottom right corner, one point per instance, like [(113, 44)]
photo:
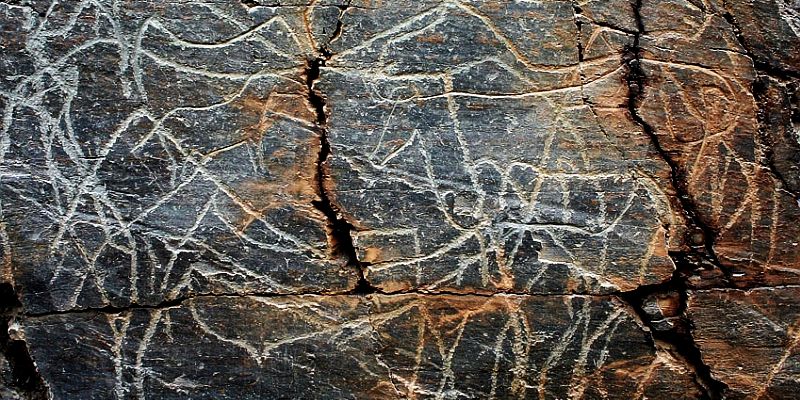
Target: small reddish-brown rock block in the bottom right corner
[(750, 339)]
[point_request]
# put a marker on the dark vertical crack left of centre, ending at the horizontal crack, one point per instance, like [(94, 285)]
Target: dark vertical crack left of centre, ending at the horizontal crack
[(340, 238)]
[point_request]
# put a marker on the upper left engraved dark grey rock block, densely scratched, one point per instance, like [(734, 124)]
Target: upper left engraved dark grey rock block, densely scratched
[(153, 151)]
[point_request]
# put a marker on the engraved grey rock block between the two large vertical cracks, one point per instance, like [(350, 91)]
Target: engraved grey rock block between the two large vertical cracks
[(485, 156)]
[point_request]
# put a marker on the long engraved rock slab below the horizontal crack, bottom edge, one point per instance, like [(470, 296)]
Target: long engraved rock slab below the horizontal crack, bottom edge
[(387, 347)]
